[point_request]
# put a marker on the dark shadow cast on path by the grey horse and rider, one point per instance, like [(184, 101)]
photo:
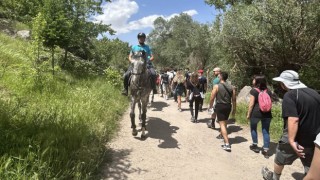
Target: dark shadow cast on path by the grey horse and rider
[(162, 130)]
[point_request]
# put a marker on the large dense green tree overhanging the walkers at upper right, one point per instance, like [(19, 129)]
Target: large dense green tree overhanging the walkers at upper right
[(270, 36)]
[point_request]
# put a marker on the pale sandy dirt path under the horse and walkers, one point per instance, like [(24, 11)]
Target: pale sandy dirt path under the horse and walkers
[(175, 148)]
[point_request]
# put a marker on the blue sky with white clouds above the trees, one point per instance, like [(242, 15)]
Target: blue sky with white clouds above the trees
[(129, 17)]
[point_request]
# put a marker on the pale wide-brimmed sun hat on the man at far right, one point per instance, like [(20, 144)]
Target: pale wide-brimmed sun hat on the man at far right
[(290, 79)]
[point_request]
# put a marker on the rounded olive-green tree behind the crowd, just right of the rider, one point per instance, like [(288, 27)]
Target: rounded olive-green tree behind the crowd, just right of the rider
[(180, 42)]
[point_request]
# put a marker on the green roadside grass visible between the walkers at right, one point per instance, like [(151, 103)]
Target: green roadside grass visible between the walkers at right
[(276, 125)]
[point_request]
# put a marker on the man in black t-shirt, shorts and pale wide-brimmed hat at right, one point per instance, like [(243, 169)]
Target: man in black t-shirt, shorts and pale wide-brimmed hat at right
[(301, 115)]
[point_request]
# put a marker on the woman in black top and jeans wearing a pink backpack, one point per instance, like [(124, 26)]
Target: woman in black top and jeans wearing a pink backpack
[(260, 109)]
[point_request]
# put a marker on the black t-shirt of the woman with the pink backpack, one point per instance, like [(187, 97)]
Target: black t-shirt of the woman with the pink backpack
[(256, 112)]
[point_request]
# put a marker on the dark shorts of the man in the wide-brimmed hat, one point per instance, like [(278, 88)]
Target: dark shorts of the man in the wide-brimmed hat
[(285, 155)]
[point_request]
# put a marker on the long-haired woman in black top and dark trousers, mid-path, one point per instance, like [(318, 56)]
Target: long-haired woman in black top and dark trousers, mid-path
[(194, 96)]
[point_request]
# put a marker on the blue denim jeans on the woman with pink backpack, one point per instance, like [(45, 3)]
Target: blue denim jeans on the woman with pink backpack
[(265, 123)]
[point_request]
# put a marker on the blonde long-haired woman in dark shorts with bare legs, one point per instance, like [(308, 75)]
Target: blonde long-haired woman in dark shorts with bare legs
[(179, 83)]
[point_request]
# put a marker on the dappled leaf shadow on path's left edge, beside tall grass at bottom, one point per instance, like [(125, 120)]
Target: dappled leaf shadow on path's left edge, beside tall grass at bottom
[(117, 165)]
